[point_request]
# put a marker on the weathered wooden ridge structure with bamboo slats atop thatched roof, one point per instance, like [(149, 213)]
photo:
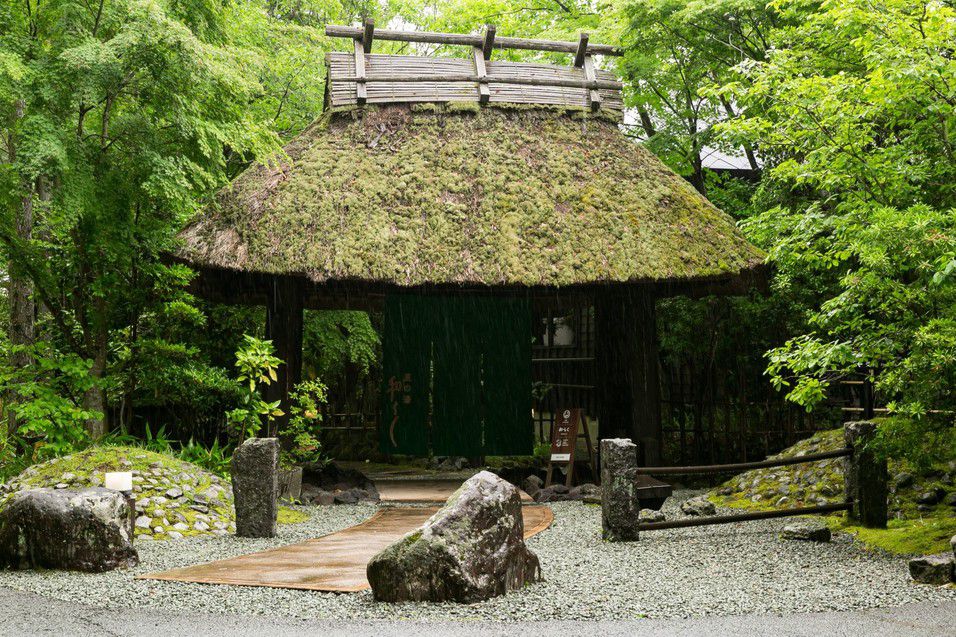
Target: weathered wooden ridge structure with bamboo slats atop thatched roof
[(362, 77)]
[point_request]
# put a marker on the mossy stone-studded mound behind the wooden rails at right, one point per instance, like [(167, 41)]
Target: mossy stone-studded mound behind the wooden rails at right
[(915, 526)]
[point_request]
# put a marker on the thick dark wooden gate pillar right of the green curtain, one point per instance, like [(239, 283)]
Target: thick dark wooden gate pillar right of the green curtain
[(628, 387)]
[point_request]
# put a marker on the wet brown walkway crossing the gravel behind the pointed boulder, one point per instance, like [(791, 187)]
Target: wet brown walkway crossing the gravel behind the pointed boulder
[(333, 563)]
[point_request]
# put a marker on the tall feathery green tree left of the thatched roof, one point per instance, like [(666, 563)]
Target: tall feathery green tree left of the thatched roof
[(119, 115)]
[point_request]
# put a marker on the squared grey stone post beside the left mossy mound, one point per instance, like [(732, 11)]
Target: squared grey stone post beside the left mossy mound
[(255, 487)]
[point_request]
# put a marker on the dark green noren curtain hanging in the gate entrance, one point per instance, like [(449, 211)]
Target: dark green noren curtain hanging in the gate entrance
[(478, 351)]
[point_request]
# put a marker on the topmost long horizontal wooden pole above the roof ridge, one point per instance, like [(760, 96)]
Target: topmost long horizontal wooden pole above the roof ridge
[(472, 40)]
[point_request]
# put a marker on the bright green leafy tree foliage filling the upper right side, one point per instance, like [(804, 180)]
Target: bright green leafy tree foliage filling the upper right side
[(854, 109)]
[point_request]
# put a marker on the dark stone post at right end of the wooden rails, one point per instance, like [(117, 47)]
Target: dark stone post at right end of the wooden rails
[(866, 476)]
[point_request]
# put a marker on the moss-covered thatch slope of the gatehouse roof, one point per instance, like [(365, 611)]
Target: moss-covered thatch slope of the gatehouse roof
[(457, 194)]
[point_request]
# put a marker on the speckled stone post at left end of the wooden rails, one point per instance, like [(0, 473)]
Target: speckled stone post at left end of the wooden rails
[(619, 504)]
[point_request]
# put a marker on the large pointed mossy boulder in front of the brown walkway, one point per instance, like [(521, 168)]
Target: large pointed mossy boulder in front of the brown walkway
[(470, 550)]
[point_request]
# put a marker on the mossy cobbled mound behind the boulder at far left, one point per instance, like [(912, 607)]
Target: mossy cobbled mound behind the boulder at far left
[(173, 498)]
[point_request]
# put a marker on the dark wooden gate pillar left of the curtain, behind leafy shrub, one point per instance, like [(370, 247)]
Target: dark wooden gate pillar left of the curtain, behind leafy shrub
[(284, 329)]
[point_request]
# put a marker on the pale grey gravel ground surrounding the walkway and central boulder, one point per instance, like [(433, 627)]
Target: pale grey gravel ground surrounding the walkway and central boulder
[(718, 570)]
